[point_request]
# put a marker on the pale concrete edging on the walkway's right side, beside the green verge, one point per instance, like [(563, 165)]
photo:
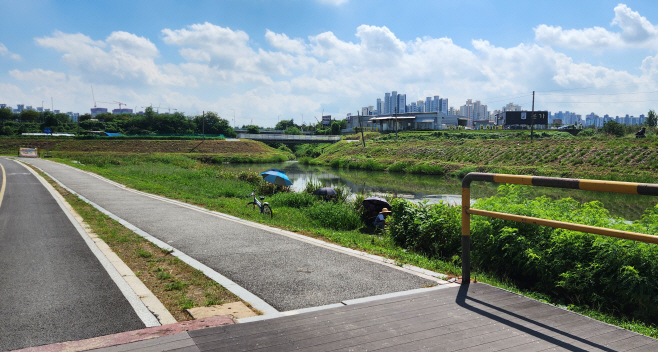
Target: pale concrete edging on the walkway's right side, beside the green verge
[(410, 269)]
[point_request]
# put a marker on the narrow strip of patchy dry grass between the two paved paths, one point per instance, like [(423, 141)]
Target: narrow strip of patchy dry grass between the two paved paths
[(176, 284)]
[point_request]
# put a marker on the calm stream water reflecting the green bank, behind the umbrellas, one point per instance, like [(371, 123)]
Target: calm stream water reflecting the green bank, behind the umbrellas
[(439, 188)]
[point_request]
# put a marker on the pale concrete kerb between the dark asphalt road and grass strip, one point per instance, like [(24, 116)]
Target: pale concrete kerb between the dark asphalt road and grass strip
[(144, 314)]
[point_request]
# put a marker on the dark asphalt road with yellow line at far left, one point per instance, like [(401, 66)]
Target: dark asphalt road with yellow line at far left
[(52, 287)]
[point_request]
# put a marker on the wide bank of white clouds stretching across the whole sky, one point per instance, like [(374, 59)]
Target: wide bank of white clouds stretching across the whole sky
[(222, 69)]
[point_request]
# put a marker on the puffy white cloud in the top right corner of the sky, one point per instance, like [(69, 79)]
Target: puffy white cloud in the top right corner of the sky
[(636, 31)]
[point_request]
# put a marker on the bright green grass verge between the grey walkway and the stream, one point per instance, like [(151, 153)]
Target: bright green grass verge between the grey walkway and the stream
[(218, 189)]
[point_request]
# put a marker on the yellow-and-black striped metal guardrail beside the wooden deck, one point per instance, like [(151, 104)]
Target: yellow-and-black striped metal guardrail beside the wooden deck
[(554, 182)]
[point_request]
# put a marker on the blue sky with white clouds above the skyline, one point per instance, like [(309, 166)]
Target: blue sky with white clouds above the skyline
[(259, 61)]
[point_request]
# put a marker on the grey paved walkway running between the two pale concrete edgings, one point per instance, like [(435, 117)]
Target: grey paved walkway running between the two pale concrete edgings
[(285, 272)]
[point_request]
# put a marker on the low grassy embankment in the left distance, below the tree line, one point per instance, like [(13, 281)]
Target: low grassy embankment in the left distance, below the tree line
[(210, 151)]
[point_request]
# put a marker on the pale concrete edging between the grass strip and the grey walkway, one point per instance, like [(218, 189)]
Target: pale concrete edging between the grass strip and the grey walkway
[(238, 290)]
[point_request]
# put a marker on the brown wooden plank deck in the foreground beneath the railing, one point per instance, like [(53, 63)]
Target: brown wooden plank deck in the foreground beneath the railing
[(475, 318)]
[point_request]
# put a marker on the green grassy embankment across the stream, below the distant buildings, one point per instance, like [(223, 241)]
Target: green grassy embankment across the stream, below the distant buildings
[(457, 153)]
